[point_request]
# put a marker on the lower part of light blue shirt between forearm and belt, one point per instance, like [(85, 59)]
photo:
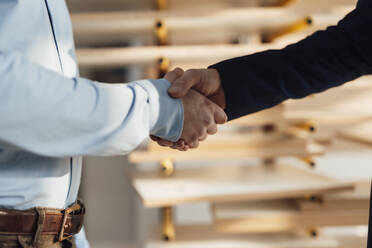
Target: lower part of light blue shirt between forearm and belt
[(28, 180)]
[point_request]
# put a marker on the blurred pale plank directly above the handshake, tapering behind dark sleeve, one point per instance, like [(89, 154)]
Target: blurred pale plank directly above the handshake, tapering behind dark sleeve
[(111, 57)]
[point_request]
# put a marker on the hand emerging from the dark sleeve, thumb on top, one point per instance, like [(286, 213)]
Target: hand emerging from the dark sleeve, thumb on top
[(205, 81)]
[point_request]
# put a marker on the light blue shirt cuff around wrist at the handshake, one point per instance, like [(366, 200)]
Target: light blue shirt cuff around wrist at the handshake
[(166, 113)]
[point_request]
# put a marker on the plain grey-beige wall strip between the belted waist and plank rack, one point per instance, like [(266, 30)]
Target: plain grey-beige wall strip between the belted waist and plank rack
[(110, 201)]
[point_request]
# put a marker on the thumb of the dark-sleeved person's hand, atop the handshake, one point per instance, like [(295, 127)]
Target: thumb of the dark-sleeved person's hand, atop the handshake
[(183, 84)]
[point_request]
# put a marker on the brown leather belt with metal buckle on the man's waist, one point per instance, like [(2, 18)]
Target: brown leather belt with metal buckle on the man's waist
[(64, 223)]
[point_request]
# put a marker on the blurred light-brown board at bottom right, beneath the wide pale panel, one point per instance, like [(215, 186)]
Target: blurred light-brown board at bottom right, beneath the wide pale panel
[(334, 209)]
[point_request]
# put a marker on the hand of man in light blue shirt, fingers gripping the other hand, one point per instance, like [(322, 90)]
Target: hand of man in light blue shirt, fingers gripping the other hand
[(201, 117)]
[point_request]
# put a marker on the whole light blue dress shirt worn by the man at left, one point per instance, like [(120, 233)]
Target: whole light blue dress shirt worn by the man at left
[(49, 117)]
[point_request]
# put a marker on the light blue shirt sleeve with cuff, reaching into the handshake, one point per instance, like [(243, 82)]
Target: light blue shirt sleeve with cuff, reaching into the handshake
[(46, 113)]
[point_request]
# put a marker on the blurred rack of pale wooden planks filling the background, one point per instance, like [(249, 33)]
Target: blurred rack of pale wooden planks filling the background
[(279, 205)]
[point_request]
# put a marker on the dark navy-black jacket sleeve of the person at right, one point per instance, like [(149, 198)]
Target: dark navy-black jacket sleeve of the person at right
[(323, 60)]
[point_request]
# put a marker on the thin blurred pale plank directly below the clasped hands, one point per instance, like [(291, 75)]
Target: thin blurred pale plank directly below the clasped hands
[(272, 151)]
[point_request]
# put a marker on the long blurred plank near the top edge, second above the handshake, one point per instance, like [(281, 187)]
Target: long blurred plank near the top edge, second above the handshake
[(144, 21)]
